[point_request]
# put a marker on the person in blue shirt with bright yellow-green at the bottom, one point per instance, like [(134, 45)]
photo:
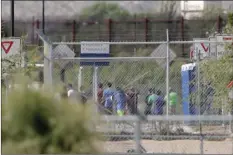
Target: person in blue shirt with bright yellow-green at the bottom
[(120, 98)]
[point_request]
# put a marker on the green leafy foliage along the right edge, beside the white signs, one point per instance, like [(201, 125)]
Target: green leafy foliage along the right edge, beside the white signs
[(220, 72)]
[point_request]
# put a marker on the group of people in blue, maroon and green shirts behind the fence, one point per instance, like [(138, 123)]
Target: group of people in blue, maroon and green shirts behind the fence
[(111, 101)]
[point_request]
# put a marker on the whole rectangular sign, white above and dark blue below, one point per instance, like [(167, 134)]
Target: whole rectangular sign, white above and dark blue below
[(94, 50)]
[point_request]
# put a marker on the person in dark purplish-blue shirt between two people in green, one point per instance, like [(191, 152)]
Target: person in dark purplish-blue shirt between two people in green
[(158, 105)]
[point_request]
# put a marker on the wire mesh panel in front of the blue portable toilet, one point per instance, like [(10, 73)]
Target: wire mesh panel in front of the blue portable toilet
[(197, 90)]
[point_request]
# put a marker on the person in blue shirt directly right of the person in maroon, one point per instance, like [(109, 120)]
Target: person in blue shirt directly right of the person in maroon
[(108, 95)]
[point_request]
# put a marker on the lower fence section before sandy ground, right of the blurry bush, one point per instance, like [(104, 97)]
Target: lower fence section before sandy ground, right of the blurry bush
[(204, 136)]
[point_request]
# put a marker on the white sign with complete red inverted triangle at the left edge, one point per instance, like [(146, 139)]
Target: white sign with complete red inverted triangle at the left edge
[(10, 46)]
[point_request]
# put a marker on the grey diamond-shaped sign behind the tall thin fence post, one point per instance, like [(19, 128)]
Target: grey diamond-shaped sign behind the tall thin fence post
[(161, 51)]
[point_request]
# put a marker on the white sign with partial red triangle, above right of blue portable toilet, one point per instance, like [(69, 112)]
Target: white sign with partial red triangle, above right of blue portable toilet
[(201, 48)]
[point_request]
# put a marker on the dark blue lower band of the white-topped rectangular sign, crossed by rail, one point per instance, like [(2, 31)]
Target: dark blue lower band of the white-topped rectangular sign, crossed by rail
[(93, 63)]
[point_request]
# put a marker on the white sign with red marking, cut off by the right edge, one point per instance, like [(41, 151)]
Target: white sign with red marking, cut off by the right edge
[(221, 46)]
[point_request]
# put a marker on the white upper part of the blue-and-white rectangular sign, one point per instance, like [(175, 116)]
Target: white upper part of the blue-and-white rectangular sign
[(87, 48)]
